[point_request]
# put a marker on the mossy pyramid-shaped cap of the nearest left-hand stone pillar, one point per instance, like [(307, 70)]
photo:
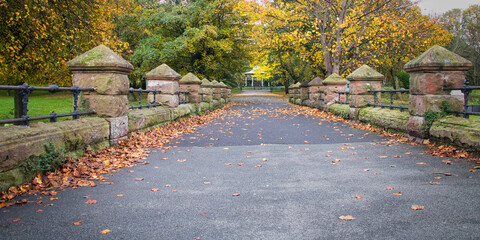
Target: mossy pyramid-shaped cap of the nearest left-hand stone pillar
[(100, 59)]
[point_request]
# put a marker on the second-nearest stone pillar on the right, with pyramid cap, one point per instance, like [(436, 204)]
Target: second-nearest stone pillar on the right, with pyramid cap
[(361, 80)]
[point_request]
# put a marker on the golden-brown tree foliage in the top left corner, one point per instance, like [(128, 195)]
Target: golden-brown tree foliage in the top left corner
[(38, 37)]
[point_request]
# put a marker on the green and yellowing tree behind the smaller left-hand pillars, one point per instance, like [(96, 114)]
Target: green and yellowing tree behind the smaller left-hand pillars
[(207, 38)]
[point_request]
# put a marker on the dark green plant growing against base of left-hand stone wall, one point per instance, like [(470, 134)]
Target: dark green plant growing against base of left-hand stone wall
[(50, 160)]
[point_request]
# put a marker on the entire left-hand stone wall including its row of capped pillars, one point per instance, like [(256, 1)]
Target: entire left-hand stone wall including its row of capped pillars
[(104, 70)]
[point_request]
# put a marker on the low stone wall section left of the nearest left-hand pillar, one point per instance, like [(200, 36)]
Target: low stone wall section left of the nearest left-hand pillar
[(18, 144)]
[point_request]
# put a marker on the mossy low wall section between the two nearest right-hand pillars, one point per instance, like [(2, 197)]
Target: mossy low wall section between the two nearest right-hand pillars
[(386, 118)]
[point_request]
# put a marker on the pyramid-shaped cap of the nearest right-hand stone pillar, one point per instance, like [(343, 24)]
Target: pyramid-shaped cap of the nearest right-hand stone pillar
[(438, 58)]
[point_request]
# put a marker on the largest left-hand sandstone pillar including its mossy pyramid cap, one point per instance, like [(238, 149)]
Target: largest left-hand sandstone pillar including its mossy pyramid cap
[(104, 70)]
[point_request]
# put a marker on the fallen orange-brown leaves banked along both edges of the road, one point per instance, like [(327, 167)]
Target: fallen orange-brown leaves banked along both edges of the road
[(91, 168)]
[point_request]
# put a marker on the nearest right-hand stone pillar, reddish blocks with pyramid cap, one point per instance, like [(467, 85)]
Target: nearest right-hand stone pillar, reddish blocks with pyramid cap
[(429, 73)]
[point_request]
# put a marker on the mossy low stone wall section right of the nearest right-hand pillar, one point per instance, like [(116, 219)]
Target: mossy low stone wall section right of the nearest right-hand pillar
[(458, 131)]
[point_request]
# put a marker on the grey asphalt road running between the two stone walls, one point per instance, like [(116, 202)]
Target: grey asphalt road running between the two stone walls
[(262, 173)]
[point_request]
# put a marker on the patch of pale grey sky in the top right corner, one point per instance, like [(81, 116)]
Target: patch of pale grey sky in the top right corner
[(440, 6)]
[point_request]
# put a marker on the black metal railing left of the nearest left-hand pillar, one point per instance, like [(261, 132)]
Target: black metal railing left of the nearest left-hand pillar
[(21, 103)]
